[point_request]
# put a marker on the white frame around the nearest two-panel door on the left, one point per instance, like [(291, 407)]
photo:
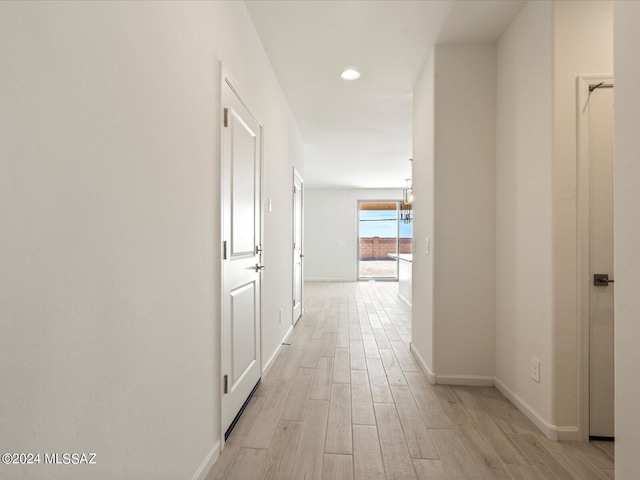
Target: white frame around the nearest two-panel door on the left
[(226, 77)]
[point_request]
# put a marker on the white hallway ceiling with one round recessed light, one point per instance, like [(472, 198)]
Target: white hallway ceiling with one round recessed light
[(358, 133)]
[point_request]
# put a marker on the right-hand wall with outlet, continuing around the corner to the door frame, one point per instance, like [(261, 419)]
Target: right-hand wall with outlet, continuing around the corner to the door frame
[(539, 58)]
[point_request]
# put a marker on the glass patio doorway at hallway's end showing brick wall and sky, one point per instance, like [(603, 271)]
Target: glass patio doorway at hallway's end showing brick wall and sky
[(382, 236)]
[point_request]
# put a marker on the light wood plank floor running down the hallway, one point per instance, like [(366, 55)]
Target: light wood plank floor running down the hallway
[(346, 400)]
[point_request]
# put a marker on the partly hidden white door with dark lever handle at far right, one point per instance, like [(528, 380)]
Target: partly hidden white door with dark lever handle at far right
[(601, 378)]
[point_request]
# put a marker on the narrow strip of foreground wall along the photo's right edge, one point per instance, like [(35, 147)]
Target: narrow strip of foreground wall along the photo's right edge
[(627, 238)]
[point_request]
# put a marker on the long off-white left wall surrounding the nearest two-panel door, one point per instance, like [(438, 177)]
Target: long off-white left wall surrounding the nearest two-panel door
[(109, 199)]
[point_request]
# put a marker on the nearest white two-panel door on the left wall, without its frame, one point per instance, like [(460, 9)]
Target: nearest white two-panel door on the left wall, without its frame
[(241, 235)]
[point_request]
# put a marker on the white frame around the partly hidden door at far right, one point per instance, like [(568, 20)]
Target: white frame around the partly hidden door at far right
[(583, 280)]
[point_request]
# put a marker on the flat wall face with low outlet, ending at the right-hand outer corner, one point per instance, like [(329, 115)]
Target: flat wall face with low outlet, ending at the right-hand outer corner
[(524, 168)]
